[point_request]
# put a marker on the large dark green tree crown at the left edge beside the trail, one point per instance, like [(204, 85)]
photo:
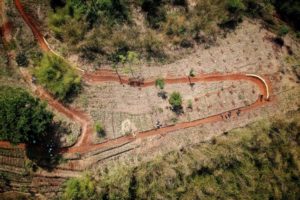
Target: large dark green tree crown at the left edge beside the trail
[(22, 117)]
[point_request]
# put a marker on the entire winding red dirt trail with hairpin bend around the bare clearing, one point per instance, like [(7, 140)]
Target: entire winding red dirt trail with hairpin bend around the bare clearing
[(84, 144)]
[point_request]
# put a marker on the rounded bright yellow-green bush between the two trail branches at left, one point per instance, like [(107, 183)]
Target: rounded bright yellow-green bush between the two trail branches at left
[(58, 77)]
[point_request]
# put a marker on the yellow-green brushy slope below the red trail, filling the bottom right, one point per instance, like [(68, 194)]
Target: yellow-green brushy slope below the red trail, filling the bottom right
[(257, 162)]
